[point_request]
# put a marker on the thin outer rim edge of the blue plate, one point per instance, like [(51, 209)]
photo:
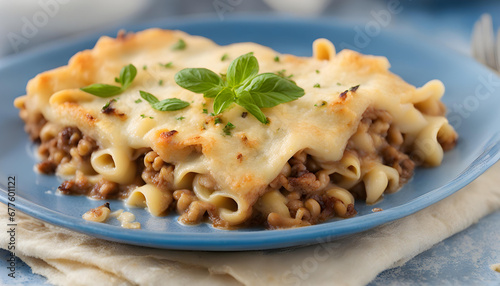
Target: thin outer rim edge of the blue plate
[(235, 241)]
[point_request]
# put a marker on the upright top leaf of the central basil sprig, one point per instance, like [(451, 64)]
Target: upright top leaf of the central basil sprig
[(241, 69)]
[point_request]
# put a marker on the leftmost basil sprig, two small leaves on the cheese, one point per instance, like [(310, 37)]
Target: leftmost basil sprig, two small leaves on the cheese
[(127, 75)]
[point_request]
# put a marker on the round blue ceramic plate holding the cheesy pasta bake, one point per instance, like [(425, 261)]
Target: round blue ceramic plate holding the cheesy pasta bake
[(472, 95)]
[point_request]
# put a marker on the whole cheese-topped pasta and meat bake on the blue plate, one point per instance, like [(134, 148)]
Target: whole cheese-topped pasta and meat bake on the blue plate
[(357, 132)]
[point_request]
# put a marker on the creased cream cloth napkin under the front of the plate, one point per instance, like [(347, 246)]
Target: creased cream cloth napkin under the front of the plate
[(69, 258)]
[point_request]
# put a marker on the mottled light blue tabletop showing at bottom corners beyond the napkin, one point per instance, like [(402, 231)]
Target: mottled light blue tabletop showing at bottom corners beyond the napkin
[(463, 259)]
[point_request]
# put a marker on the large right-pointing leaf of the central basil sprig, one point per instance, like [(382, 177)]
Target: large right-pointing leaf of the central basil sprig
[(269, 90)]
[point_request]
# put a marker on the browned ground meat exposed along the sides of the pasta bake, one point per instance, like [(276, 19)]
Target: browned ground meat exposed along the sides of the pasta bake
[(301, 181)]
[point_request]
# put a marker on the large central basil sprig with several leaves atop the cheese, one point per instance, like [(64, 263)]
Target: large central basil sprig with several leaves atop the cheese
[(243, 86)]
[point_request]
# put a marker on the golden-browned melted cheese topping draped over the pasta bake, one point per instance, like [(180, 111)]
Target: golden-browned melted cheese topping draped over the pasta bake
[(244, 163)]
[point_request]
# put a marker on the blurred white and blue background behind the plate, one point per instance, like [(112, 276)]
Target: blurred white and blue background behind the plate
[(25, 24)]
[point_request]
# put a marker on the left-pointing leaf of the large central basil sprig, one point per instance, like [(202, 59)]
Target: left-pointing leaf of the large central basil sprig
[(199, 80)]
